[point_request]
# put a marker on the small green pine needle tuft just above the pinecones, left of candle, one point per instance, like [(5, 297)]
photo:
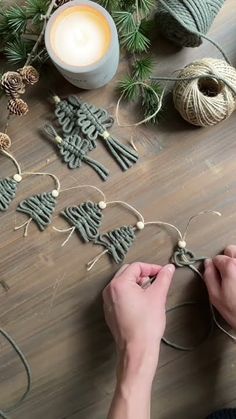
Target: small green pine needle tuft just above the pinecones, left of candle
[(17, 51)]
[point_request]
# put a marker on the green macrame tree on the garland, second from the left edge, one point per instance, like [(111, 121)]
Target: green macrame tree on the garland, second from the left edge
[(40, 208)]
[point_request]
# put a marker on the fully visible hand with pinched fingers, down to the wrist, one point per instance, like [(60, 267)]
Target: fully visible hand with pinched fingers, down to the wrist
[(136, 316)]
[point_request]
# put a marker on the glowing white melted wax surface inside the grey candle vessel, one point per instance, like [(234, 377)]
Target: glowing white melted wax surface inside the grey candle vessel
[(80, 36)]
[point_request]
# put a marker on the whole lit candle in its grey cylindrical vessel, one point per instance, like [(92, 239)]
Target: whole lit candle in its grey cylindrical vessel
[(82, 41)]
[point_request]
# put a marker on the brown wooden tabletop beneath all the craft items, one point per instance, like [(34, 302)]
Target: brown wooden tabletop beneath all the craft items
[(54, 307)]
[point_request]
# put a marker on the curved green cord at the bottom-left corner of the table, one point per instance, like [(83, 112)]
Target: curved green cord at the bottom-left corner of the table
[(4, 414)]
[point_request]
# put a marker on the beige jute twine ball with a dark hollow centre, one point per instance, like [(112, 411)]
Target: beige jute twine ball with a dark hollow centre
[(206, 101)]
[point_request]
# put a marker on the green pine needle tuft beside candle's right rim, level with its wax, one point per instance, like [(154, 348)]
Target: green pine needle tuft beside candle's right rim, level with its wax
[(135, 41)]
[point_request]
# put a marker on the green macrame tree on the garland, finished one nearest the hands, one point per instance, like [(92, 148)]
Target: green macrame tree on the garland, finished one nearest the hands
[(117, 242)]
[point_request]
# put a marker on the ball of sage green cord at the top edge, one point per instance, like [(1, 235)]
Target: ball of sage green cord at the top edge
[(186, 22)]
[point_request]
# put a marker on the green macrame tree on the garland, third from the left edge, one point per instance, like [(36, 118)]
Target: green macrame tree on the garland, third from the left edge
[(86, 218)]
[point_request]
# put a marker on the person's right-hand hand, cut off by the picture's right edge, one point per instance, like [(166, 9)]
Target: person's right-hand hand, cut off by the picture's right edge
[(220, 279)]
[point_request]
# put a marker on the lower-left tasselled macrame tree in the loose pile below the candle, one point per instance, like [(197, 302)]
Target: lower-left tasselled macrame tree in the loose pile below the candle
[(74, 151)]
